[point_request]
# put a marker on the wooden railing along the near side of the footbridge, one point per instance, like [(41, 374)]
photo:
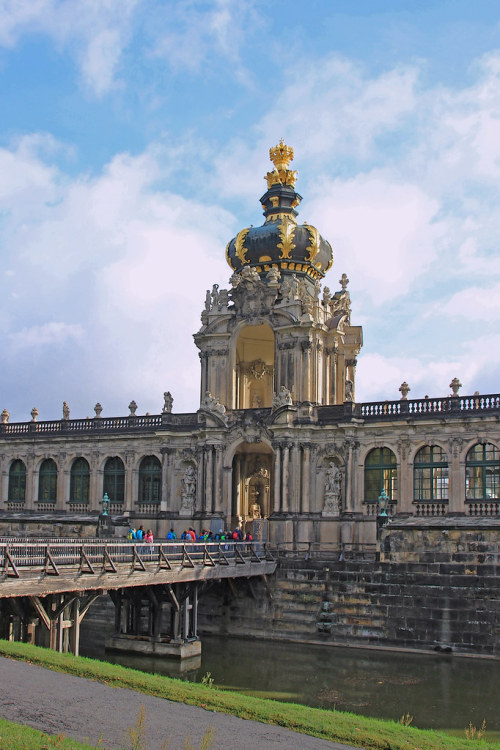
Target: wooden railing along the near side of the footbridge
[(28, 553)]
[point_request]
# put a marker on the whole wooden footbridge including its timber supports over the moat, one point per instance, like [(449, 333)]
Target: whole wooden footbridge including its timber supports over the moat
[(48, 585)]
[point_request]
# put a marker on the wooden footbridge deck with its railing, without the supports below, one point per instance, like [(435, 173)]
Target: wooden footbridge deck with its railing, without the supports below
[(38, 568)]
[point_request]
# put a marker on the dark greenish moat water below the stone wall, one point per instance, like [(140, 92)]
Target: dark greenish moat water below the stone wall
[(440, 692)]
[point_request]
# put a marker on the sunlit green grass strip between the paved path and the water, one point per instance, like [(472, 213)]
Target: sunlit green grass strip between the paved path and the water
[(332, 725)]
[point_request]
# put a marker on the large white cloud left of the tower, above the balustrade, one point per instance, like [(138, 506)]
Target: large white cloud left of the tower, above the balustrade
[(125, 265)]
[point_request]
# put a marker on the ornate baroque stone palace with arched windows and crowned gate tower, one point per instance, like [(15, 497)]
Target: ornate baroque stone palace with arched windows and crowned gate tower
[(279, 445)]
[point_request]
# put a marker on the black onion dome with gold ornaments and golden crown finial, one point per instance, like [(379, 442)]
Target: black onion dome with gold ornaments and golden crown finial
[(281, 242)]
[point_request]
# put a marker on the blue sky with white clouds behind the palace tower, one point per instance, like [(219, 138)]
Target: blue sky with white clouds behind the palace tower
[(134, 138)]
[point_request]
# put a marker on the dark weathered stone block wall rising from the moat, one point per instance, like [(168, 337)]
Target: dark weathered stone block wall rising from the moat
[(441, 595)]
